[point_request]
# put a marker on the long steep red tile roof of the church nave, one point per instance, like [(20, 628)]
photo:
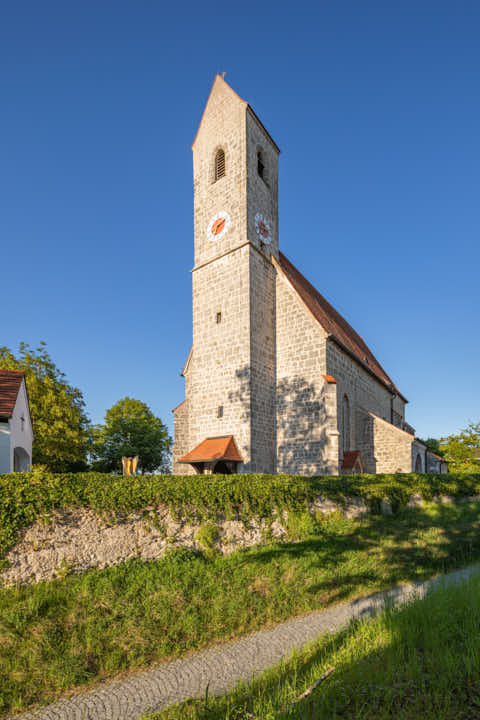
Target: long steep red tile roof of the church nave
[(334, 324)]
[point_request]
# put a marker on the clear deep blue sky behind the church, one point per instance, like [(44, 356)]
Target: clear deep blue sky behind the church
[(376, 108)]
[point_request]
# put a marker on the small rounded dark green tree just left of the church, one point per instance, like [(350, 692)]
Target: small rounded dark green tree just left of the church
[(131, 429)]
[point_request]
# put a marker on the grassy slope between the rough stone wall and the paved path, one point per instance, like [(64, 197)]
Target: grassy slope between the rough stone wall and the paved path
[(85, 628)]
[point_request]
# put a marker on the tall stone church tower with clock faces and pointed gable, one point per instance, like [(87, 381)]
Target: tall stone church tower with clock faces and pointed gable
[(230, 374)]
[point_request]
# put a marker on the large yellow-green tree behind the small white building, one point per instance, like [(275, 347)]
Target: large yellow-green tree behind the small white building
[(60, 425)]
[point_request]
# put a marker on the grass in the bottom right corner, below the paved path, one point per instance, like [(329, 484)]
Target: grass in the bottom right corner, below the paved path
[(421, 660)]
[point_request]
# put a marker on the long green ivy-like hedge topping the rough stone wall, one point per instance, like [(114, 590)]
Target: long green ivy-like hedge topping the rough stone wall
[(25, 497)]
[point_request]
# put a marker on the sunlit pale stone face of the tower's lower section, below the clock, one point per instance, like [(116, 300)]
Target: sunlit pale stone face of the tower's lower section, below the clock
[(220, 372)]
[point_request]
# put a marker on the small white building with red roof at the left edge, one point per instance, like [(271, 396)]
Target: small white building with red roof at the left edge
[(16, 434)]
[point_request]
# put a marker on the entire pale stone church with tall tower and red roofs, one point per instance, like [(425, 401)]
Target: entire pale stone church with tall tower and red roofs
[(276, 380)]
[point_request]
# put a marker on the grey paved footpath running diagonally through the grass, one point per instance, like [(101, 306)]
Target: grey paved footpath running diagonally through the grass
[(223, 666)]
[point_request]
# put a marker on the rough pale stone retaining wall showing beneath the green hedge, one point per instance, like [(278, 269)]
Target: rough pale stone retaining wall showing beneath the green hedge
[(76, 539)]
